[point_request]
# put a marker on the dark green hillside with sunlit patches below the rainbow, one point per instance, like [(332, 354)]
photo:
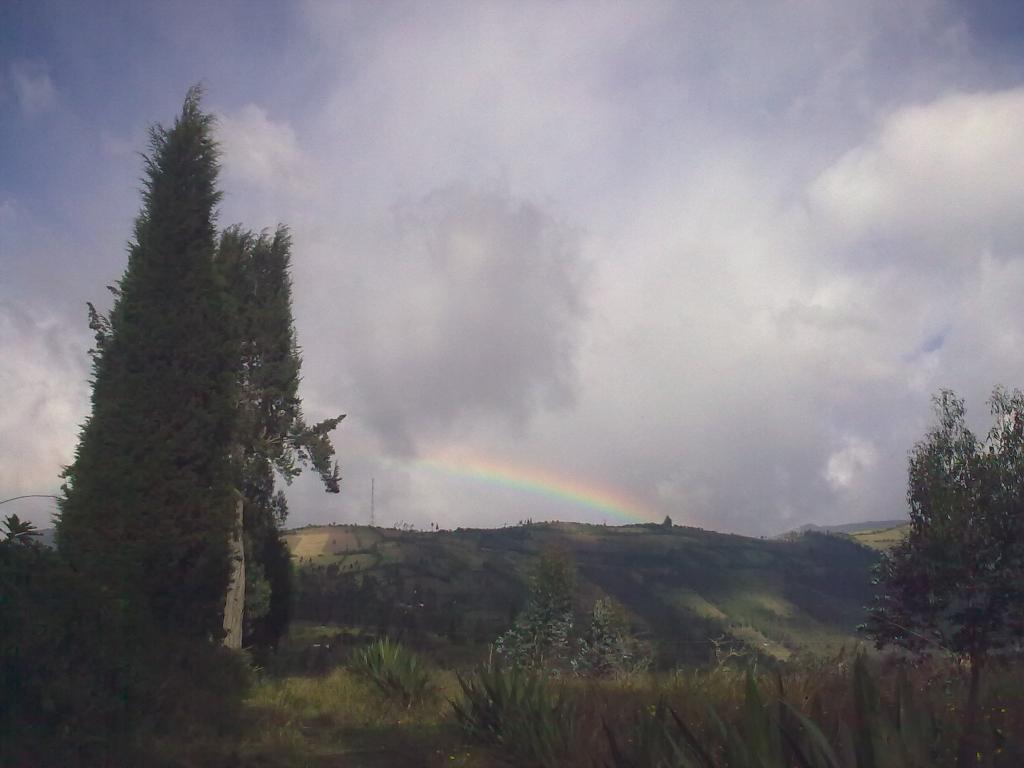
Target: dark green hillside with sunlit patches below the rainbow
[(682, 587)]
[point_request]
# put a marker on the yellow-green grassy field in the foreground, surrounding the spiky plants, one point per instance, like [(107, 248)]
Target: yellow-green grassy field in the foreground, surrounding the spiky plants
[(342, 719)]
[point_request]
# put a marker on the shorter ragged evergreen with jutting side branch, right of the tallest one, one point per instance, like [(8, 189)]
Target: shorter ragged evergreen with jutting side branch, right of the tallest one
[(273, 438)]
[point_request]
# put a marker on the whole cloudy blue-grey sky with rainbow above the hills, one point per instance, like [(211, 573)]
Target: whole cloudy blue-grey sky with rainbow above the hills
[(595, 262)]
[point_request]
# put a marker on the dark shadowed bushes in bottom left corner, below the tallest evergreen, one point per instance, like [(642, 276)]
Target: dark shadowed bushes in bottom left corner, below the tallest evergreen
[(84, 682)]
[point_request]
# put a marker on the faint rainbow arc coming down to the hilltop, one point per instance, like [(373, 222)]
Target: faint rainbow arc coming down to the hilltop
[(543, 483)]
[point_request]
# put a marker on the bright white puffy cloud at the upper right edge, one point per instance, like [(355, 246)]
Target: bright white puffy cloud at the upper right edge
[(945, 174)]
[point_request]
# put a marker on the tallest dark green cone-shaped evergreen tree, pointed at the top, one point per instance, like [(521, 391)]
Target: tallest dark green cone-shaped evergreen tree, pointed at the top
[(148, 513)]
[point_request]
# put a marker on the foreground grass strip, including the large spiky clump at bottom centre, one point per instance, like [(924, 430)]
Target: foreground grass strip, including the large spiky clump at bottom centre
[(342, 718)]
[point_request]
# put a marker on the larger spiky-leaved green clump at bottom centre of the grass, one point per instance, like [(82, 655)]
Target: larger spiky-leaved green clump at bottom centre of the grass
[(518, 710)]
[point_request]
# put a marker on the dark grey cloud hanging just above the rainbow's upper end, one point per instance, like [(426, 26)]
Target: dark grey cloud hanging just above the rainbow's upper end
[(475, 315)]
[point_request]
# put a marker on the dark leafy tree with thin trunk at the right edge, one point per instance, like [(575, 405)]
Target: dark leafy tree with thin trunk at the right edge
[(957, 583)]
